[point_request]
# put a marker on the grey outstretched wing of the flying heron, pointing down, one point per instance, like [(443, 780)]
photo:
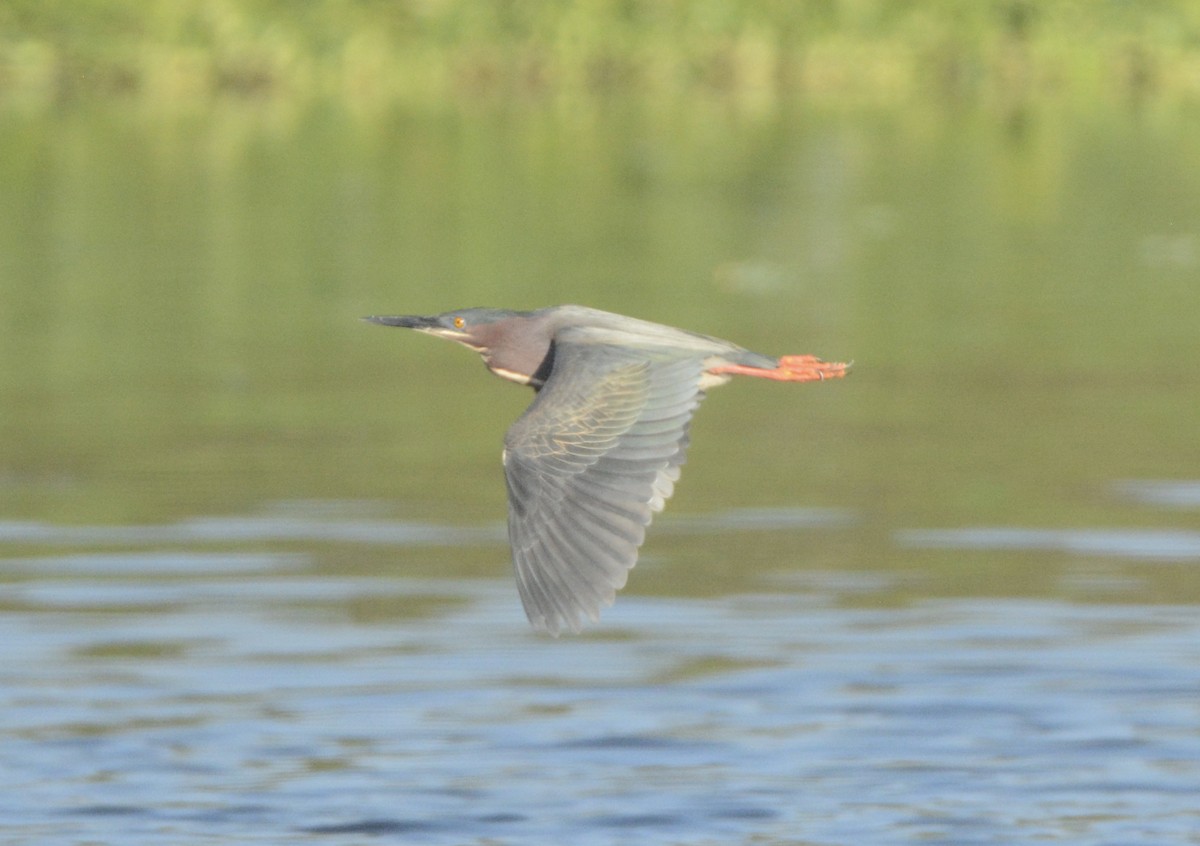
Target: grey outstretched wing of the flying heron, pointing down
[(587, 465)]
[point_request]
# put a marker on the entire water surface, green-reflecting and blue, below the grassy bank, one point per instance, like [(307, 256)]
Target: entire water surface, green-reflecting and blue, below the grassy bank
[(254, 580)]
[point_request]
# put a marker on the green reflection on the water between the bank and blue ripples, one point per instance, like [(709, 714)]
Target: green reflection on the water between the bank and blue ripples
[(1018, 287)]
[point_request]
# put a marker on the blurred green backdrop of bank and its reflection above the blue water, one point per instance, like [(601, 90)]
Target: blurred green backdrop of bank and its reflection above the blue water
[(993, 208)]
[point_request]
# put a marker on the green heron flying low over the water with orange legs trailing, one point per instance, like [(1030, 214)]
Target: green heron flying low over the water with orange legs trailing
[(599, 449)]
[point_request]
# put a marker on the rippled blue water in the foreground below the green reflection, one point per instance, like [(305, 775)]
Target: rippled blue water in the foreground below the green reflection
[(197, 697)]
